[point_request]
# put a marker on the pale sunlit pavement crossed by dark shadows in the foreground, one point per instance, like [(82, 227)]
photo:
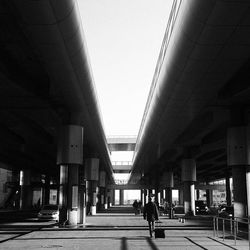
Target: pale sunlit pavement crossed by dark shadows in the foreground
[(115, 232)]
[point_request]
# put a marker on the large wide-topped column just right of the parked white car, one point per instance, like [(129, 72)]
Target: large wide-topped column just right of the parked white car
[(69, 158)]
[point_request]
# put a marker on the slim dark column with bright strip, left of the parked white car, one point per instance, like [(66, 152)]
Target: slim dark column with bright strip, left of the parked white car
[(26, 191)]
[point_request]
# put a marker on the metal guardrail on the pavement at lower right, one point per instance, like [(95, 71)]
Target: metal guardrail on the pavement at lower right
[(238, 228)]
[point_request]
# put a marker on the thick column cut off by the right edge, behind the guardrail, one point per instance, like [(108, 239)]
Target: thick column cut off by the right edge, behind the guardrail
[(238, 159)]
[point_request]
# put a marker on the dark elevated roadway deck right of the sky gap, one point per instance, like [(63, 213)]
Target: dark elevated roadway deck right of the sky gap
[(196, 118)]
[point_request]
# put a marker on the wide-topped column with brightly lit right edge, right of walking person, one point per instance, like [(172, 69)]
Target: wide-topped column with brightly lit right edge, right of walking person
[(189, 177)]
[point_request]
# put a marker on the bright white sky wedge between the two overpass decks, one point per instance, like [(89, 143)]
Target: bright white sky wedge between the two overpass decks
[(123, 39)]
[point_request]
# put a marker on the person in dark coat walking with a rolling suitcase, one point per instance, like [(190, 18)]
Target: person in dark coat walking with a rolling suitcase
[(151, 214)]
